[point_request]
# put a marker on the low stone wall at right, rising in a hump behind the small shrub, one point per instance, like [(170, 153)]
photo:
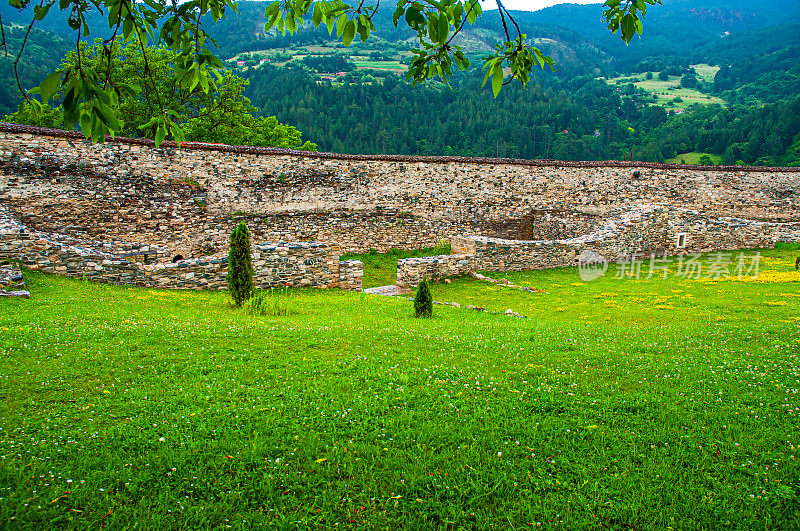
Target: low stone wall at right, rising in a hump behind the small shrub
[(642, 232)]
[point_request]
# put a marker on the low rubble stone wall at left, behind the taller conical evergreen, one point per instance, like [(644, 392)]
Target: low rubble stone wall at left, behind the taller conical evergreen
[(283, 264)]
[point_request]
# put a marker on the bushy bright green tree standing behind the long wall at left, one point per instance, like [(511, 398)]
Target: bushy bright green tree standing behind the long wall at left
[(222, 115)]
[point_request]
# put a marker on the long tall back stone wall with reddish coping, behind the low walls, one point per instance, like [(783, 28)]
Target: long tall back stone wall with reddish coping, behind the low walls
[(187, 200)]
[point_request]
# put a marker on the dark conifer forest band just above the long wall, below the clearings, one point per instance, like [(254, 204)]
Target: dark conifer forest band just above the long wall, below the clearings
[(576, 119)]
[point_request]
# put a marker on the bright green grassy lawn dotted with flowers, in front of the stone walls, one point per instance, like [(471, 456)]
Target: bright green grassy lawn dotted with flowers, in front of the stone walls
[(617, 404)]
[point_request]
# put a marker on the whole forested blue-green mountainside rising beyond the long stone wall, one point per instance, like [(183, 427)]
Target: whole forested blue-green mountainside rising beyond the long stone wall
[(572, 114)]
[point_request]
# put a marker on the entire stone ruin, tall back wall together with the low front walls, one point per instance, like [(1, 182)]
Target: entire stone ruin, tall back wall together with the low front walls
[(125, 211)]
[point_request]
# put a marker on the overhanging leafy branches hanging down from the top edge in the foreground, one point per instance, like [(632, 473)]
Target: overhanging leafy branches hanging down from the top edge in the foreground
[(90, 95)]
